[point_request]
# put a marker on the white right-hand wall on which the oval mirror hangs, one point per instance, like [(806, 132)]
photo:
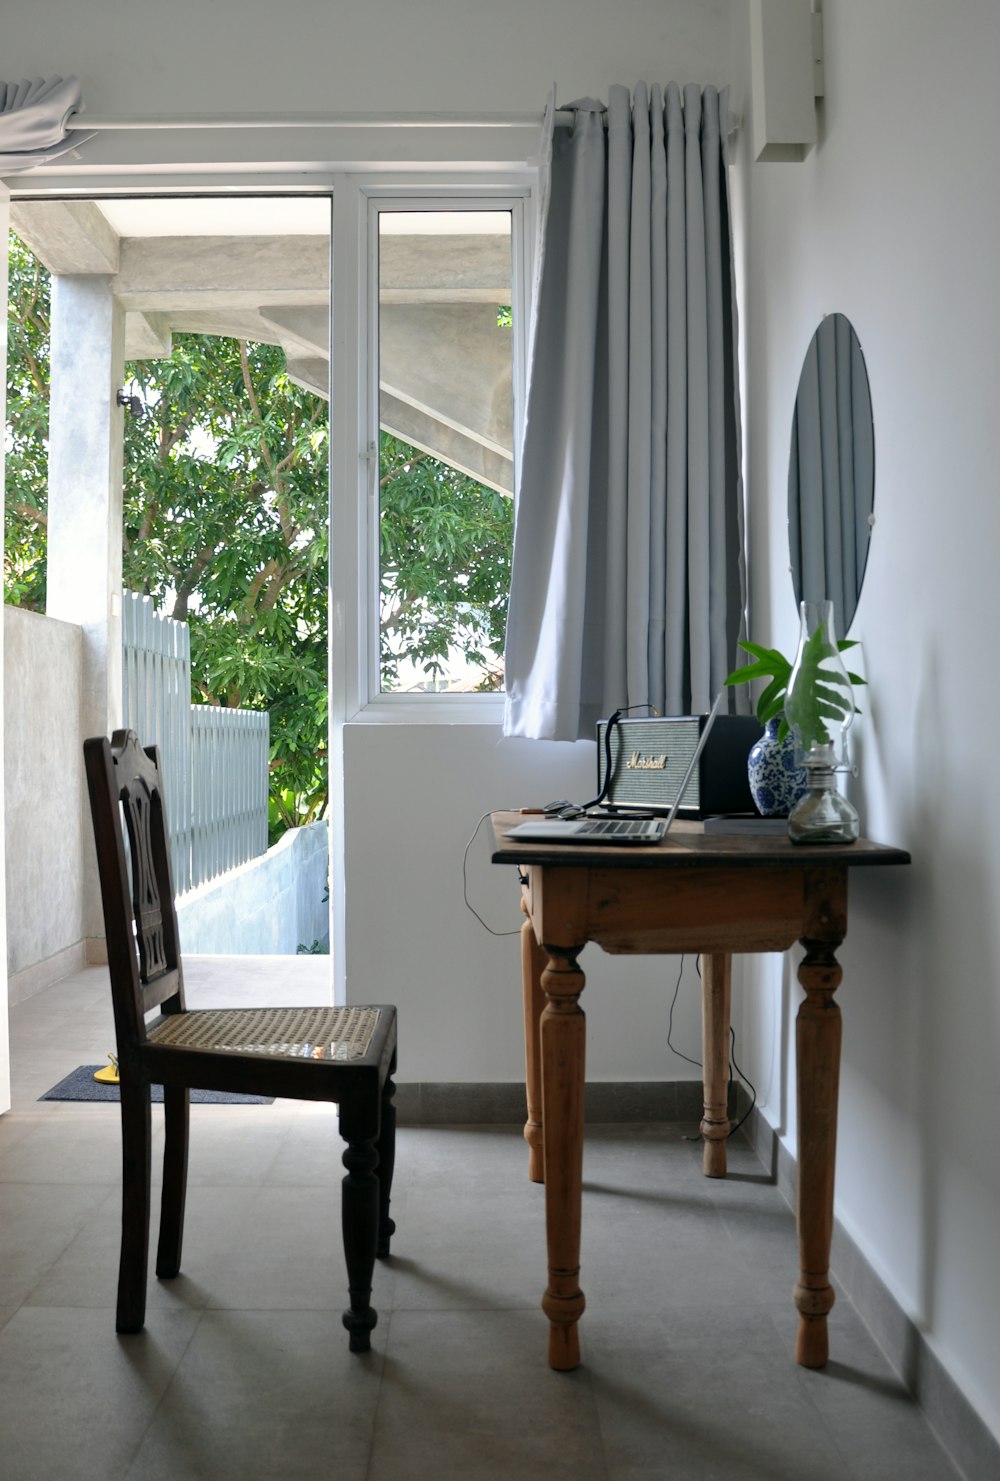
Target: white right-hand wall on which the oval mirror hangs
[(894, 221)]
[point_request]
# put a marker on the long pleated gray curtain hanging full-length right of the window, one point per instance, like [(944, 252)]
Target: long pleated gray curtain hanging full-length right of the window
[(629, 578)]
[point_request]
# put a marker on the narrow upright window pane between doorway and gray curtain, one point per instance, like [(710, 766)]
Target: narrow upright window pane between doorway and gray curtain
[(447, 448)]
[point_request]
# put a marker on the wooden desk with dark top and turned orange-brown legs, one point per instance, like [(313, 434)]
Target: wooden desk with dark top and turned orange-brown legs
[(693, 894)]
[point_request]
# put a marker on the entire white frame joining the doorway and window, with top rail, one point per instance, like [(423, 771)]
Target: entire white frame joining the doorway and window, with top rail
[(245, 170)]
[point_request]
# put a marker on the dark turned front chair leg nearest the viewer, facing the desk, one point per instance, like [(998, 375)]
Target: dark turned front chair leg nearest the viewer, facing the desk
[(359, 1217)]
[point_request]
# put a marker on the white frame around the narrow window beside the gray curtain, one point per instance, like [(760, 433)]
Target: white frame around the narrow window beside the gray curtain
[(362, 201)]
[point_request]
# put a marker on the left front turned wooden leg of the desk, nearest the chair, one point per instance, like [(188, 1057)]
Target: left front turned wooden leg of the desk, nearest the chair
[(564, 1034)]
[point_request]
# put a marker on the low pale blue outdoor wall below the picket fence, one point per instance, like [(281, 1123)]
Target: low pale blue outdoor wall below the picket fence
[(269, 907)]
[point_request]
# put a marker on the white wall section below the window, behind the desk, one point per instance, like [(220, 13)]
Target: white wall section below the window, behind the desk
[(414, 799)]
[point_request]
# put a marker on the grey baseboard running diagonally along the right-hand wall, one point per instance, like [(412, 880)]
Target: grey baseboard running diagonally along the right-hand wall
[(959, 1428)]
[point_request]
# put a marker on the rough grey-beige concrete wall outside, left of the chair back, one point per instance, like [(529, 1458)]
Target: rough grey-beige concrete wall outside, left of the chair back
[(47, 829)]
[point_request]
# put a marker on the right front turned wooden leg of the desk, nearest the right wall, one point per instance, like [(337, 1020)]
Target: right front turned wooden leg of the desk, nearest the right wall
[(819, 1074)]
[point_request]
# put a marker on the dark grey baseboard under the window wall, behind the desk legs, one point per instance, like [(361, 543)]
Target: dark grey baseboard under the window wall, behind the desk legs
[(499, 1104)]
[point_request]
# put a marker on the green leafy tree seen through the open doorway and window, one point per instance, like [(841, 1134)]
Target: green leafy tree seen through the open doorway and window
[(226, 528)]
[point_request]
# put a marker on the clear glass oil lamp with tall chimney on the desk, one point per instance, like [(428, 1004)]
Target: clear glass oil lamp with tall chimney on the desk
[(820, 709)]
